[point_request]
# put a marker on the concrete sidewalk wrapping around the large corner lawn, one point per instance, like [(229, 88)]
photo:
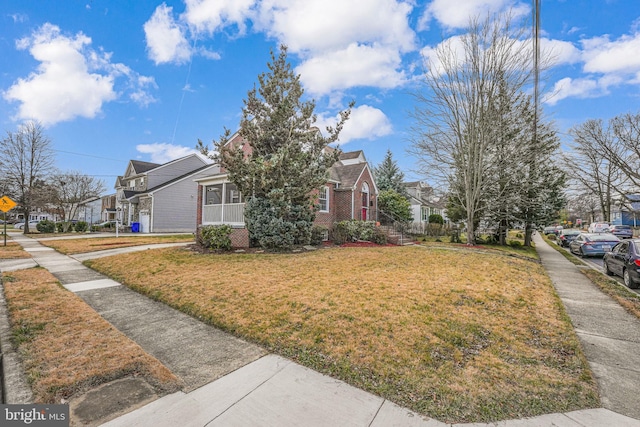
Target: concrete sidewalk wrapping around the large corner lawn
[(231, 382)]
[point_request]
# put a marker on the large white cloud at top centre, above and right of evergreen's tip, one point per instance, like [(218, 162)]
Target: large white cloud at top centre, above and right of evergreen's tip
[(342, 44)]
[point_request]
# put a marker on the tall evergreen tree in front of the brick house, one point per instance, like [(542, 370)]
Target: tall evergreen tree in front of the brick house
[(286, 160)]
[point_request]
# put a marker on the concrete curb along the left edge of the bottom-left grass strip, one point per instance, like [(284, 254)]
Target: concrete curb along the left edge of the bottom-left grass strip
[(15, 388)]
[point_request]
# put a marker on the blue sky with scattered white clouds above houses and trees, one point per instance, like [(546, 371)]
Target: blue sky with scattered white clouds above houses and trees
[(119, 80)]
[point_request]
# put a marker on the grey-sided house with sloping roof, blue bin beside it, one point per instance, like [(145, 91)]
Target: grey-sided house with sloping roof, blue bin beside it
[(157, 198)]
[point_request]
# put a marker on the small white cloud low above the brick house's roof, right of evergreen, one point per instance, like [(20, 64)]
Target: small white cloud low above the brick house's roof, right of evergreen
[(365, 122)]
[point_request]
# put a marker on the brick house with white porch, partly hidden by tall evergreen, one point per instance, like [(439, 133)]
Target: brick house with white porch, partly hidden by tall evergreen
[(350, 193)]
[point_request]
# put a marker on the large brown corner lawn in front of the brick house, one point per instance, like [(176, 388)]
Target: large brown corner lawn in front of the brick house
[(458, 335)]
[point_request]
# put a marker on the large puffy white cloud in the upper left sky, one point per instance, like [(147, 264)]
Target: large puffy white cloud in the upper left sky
[(72, 80)]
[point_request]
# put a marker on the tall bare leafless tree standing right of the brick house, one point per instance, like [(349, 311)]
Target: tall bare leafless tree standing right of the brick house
[(454, 132)]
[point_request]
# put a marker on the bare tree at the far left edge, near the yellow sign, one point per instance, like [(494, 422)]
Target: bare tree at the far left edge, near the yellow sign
[(26, 158)]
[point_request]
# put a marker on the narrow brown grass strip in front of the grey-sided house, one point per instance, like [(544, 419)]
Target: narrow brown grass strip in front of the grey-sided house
[(82, 245)]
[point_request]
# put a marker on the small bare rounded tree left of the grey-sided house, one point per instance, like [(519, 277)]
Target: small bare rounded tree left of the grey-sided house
[(70, 189)]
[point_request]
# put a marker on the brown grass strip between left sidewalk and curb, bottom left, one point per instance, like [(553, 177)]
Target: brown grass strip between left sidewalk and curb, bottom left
[(65, 345)]
